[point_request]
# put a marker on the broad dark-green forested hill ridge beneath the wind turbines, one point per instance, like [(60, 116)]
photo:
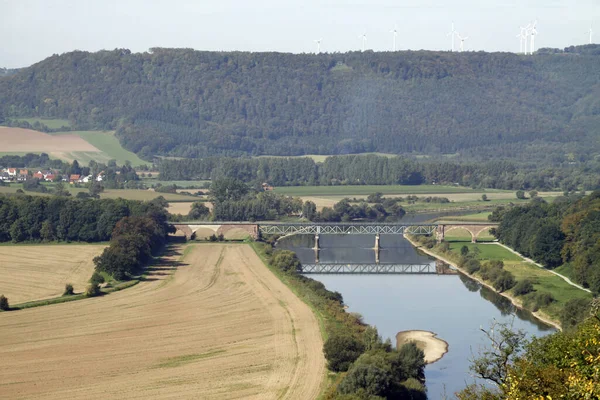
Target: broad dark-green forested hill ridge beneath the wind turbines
[(181, 102)]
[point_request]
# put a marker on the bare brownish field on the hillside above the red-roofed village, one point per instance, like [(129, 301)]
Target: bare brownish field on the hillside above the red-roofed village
[(26, 140)]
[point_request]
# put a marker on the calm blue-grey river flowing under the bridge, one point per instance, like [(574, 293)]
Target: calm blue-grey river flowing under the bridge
[(453, 306)]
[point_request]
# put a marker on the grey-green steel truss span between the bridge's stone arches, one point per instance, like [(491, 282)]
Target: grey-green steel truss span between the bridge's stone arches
[(346, 229)]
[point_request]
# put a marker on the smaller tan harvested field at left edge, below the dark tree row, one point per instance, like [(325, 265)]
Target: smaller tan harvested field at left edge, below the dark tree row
[(39, 272)]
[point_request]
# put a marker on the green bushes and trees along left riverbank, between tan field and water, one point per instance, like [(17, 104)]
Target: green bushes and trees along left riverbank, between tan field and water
[(363, 365)]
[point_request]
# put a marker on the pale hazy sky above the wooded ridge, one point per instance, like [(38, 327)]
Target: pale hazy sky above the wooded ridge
[(32, 30)]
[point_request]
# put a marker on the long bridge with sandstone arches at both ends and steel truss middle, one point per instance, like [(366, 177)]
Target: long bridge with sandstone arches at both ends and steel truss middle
[(358, 228)]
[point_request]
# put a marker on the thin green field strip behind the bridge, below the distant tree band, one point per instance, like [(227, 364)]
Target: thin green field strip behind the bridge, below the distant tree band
[(365, 190)]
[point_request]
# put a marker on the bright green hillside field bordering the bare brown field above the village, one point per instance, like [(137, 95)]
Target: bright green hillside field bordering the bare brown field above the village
[(108, 144)]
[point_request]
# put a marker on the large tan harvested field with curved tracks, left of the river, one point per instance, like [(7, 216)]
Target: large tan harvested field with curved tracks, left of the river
[(219, 325)]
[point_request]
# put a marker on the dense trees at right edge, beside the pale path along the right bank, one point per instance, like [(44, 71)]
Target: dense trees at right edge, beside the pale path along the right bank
[(565, 232)]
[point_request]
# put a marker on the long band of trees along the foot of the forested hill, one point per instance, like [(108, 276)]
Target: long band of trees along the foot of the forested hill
[(379, 170)]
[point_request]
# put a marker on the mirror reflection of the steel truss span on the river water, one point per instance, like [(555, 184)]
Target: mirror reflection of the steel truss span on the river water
[(369, 268)]
